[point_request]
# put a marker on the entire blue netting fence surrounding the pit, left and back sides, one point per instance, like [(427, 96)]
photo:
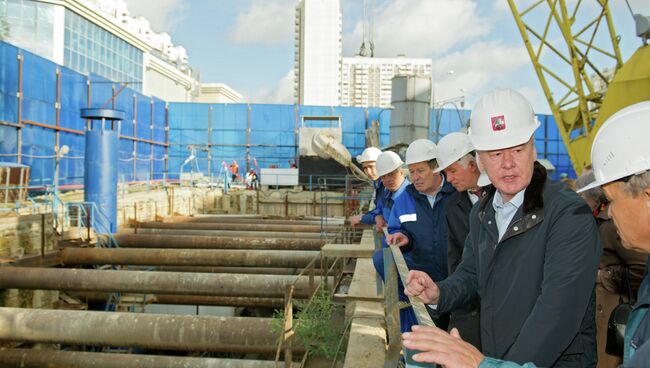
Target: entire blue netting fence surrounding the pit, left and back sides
[(254, 135)]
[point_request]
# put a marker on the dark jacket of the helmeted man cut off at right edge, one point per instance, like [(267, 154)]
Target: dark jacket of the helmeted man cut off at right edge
[(637, 334)]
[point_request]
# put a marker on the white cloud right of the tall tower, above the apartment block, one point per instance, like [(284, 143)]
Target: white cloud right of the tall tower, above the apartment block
[(420, 28)]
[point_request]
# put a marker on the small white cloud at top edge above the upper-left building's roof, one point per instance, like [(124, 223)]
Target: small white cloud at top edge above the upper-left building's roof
[(164, 15)]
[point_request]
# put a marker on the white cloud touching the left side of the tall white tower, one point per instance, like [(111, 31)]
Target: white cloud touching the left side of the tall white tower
[(265, 22)]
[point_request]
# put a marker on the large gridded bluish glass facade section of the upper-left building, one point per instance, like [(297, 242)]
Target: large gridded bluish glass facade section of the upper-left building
[(91, 49)]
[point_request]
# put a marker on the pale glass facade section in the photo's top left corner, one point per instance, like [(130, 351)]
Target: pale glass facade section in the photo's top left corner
[(28, 24)]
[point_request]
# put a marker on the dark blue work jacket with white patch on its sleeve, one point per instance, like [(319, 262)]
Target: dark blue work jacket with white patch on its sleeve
[(426, 228)]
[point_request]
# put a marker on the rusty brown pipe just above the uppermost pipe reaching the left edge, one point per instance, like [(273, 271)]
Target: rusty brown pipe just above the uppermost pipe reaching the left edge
[(187, 257)]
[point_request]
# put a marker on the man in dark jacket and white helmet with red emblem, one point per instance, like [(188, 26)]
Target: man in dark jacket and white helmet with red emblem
[(532, 252)]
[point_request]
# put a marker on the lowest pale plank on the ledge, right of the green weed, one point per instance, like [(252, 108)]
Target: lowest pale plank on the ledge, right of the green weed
[(367, 343)]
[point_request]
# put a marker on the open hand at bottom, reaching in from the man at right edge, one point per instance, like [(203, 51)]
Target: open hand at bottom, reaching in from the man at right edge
[(439, 347)]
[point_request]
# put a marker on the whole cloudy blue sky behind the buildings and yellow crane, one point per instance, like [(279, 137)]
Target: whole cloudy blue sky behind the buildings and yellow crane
[(474, 44)]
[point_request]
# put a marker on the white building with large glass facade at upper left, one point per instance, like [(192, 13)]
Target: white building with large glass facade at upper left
[(100, 37)]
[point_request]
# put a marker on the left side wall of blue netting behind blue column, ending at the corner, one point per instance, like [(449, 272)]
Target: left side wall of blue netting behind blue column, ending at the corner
[(141, 148)]
